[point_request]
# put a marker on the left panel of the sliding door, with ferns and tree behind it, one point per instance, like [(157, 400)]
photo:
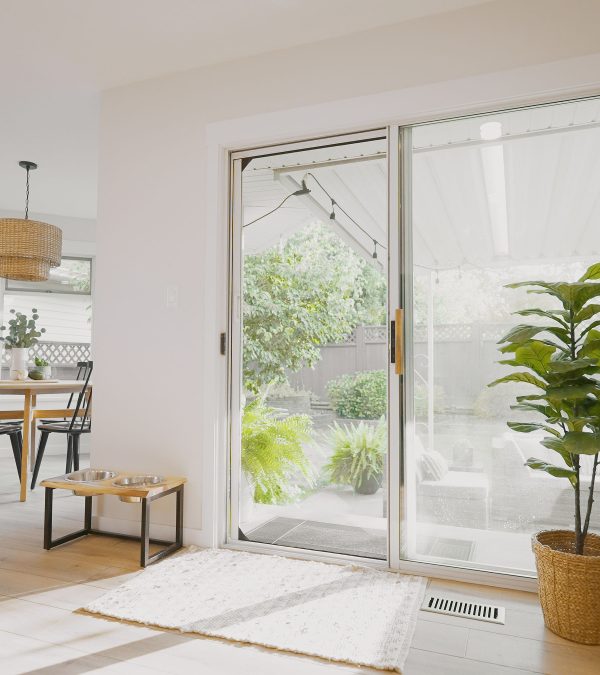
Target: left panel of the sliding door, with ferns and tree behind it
[(309, 394)]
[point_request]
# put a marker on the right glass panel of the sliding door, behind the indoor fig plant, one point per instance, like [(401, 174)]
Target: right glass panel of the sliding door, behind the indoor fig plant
[(496, 199)]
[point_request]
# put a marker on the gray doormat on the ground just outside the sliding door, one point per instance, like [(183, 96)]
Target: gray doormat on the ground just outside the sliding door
[(328, 537)]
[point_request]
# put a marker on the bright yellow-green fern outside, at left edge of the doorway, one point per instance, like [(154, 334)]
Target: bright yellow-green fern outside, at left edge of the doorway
[(272, 455)]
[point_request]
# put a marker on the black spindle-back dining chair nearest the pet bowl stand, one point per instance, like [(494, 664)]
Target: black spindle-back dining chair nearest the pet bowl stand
[(79, 424)]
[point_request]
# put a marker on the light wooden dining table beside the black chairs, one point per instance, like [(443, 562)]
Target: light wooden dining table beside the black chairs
[(30, 413)]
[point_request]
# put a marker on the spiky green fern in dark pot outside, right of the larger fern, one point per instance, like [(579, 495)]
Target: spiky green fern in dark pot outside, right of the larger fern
[(358, 456)]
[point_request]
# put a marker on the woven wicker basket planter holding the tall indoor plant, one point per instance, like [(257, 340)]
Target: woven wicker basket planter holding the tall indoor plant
[(569, 585)]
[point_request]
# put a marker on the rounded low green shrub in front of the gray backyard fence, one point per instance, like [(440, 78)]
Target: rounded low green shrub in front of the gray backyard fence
[(360, 395)]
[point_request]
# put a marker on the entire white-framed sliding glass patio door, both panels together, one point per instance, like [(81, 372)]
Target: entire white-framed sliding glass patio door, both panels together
[(369, 295)]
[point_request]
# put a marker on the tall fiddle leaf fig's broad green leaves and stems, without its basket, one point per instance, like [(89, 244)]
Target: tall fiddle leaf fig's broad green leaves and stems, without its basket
[(560, 358)]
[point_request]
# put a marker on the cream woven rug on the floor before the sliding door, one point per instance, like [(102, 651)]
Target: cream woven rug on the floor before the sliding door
[(351, 614)]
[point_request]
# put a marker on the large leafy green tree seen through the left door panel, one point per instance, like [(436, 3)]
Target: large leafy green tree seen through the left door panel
[(311, 291)]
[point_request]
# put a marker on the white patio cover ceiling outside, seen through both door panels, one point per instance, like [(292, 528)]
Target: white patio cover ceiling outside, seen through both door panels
[(532, 195)]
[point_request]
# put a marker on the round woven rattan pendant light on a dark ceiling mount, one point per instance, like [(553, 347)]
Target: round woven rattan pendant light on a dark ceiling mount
[(28, 248)]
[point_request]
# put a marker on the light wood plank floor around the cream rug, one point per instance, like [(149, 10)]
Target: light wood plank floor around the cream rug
[(40, 633)]
